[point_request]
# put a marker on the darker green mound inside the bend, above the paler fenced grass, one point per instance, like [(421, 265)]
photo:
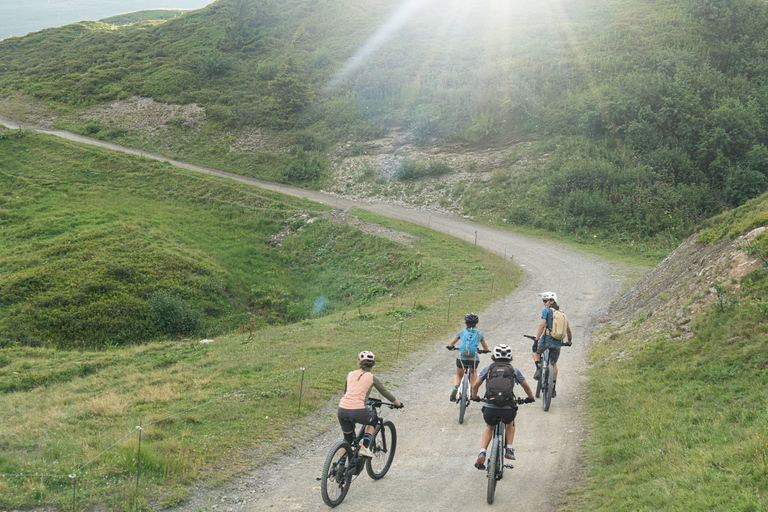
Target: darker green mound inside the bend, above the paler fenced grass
[(104, 249)]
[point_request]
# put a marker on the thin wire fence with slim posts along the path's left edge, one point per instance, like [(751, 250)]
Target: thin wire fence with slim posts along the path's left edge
[(397, 325)]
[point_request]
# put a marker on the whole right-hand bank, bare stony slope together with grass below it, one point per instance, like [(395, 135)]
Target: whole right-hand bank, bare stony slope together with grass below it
[(678, 395)]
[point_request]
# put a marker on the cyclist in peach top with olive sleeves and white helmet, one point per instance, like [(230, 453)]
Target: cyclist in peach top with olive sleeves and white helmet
[(352, 407)]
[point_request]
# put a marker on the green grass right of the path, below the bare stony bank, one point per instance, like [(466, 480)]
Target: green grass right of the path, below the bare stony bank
[(682, 424)]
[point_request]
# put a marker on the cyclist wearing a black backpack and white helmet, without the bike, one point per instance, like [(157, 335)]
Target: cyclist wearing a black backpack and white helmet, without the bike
[(500, 378)]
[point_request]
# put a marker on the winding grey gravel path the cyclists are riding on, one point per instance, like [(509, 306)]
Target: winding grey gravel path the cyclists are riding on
[(433, 468)]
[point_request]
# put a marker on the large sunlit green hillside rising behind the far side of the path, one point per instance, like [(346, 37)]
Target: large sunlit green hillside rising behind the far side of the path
[(651, 114)]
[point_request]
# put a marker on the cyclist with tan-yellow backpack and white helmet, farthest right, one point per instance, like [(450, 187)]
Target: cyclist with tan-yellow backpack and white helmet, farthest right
[(550, 334)]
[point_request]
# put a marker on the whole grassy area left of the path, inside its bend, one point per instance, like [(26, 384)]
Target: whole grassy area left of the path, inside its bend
[(72, 214)]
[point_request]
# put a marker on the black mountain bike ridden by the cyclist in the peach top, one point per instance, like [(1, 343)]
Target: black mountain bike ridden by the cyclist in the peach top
[(344, 461)]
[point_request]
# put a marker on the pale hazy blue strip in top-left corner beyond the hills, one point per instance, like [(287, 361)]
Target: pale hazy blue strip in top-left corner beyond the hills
[(20, 17)]
